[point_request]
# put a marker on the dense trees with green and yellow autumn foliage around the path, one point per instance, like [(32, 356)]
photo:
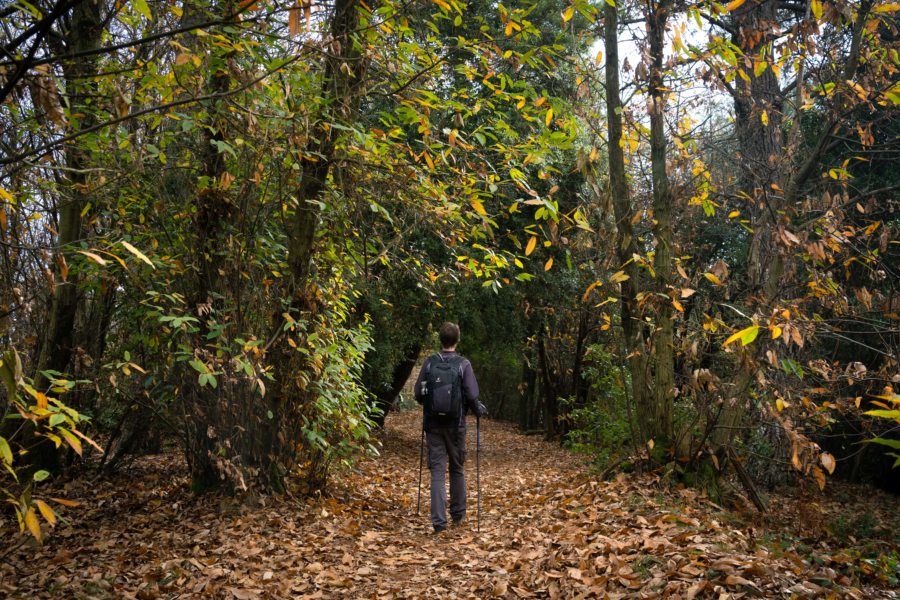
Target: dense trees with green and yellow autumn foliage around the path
[(235, 224)]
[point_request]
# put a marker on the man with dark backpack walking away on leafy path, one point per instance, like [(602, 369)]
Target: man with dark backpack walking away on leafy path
[(447, 389)]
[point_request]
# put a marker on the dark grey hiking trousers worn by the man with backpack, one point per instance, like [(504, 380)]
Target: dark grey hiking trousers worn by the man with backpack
[(447, 446)]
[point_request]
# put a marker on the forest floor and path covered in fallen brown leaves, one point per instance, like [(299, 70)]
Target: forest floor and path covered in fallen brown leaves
[(548, 529)]
